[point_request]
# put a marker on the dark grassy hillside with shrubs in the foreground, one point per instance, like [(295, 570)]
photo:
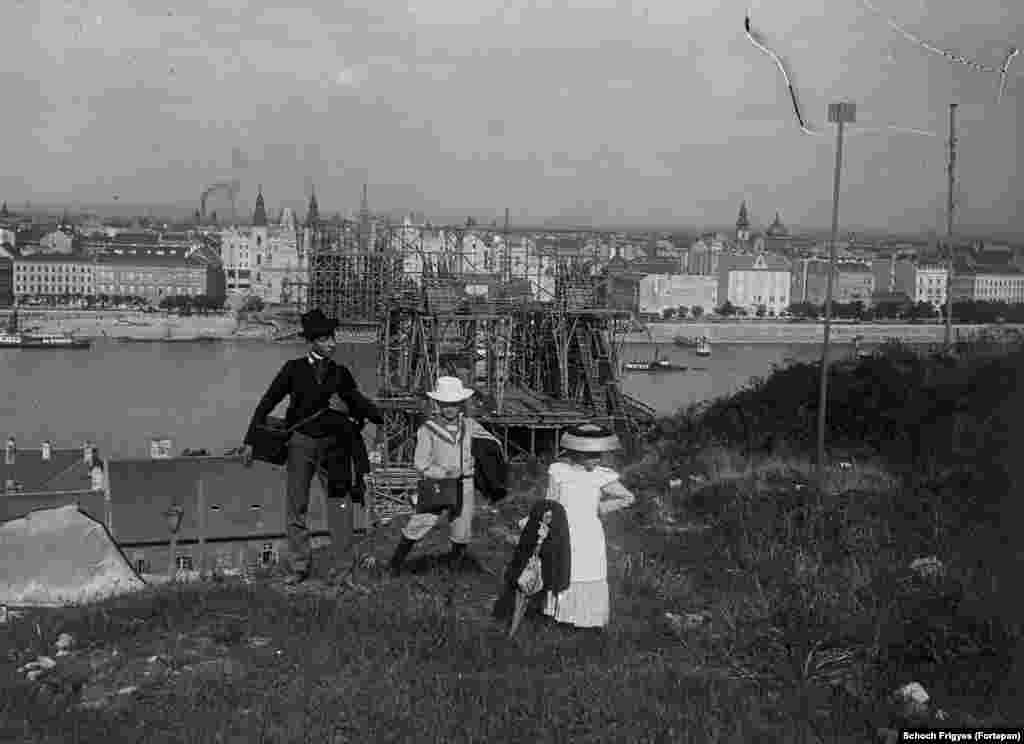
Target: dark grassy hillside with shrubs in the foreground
[(749, 605)]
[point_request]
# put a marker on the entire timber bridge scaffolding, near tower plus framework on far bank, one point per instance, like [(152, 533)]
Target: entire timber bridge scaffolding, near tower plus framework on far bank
[(540, 359)]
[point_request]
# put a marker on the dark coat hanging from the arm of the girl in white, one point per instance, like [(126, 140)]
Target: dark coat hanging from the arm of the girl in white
[(557, 556)]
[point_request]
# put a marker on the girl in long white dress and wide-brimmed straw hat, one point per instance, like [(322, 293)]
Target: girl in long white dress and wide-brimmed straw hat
[(587, 490)]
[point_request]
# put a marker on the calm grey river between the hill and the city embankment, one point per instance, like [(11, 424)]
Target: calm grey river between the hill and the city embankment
[(201, 396)]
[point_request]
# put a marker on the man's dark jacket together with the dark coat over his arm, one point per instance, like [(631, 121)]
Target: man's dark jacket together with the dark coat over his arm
[(310, 390)]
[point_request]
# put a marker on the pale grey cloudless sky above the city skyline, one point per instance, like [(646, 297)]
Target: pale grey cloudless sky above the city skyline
[(601, 112)]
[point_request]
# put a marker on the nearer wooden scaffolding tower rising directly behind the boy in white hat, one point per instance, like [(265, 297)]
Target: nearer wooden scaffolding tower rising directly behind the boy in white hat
[(538, 369)]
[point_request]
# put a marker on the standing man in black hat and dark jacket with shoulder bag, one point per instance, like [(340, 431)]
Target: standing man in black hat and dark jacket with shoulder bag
[(320, 388)]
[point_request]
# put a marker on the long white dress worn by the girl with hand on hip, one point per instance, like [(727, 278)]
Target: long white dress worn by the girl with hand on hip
[(585, 603)]
